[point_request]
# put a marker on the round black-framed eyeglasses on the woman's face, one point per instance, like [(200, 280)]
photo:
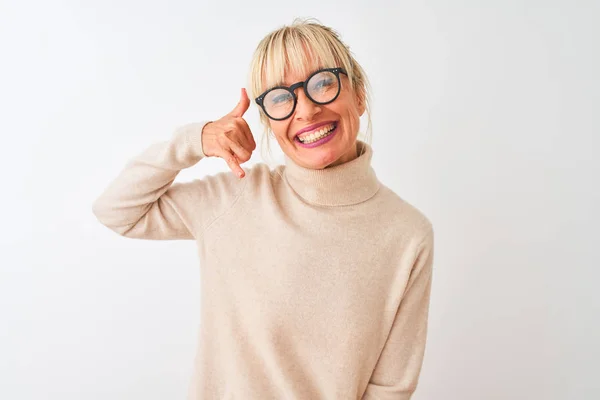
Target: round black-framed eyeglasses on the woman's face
[(321, 87)]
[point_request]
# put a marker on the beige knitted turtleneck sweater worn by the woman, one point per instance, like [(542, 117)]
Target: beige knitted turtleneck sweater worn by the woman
[(315, 284)]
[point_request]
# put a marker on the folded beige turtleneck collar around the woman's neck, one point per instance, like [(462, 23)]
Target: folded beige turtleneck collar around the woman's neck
[(350, 183)]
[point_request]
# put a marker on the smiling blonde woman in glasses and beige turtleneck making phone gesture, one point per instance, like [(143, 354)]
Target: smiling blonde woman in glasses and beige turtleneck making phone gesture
[(315, 277)]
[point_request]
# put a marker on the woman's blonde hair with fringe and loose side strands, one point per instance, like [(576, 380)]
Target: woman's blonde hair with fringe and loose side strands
[(288, 47)]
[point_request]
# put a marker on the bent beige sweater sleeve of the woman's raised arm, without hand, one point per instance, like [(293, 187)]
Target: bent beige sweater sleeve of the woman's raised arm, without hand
[(142, 202)]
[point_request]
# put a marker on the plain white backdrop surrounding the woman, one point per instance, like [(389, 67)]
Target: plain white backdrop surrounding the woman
[(485, 117)]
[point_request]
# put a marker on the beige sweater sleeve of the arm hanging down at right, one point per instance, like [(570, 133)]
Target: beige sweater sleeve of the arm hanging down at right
[(396, 373)]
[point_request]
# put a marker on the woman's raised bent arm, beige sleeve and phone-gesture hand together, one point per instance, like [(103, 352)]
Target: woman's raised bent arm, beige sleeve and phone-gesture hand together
[(143, 202)]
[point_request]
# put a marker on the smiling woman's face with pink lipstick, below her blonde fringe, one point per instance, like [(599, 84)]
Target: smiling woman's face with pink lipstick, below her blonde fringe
[(309, 118)]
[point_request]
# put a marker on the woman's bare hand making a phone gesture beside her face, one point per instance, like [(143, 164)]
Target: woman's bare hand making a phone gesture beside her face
[(230, 137)]
